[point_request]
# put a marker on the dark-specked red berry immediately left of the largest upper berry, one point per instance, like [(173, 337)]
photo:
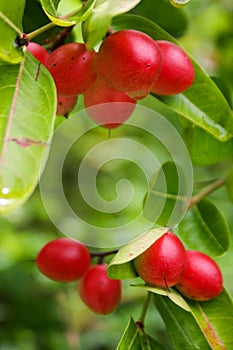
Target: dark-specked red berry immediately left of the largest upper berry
[(72, 68)]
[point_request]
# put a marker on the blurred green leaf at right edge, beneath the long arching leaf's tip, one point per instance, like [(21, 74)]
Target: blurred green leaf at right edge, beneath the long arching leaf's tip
[(204, 148)]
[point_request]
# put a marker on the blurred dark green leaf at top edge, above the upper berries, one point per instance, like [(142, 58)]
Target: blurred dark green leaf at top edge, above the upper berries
[(171, 19)]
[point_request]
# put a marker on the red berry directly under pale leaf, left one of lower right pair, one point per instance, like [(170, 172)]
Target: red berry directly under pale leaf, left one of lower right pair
[(163, 263)]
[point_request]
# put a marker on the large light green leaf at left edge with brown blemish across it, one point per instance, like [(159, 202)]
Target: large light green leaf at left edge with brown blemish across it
[(28, 106)]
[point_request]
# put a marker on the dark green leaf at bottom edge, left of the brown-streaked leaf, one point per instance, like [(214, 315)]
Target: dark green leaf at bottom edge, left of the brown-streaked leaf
[(181, 326)]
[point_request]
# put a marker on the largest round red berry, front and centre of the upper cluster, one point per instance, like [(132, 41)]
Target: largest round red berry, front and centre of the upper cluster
[(129, 60)]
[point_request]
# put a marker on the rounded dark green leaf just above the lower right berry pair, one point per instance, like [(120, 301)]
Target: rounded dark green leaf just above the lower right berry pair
[(205, 229)]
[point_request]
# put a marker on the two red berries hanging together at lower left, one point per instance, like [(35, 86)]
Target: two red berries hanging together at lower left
[(68, 260)]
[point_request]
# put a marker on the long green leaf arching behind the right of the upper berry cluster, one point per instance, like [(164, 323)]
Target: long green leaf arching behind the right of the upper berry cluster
[(203, 103)]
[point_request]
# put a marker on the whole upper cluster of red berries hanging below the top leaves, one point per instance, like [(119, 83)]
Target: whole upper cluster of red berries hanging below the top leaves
[(128, 66)]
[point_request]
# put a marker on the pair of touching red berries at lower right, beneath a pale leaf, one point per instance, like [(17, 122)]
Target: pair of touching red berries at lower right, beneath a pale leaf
[(166, 263)]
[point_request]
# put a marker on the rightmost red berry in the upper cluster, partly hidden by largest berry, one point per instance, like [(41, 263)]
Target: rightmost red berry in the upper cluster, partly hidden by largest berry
[(177, 72)]
